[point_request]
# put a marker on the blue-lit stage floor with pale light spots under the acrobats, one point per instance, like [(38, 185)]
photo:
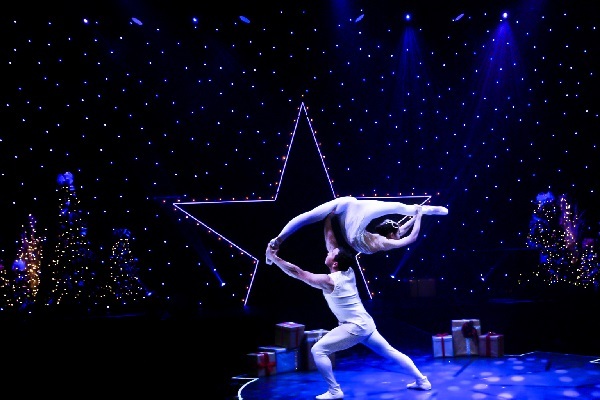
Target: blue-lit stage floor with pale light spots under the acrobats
[(364, 375)]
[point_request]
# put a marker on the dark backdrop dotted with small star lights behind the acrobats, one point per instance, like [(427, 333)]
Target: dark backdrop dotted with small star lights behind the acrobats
[(151, 105)]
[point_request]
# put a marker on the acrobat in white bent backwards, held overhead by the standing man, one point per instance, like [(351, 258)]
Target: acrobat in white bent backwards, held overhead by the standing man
[(354, 215)]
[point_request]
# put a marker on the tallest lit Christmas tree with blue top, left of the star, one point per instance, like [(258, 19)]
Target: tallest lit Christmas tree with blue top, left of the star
[(74, 265)]
